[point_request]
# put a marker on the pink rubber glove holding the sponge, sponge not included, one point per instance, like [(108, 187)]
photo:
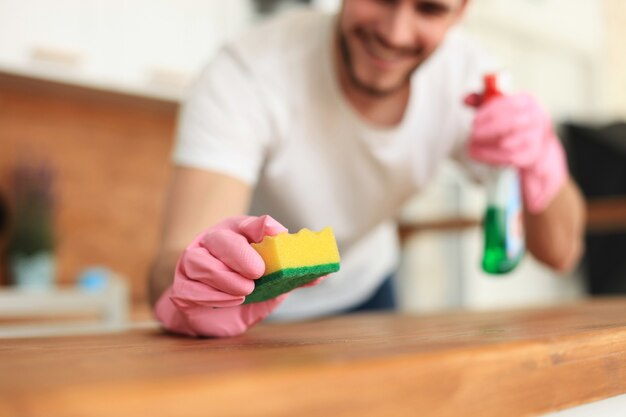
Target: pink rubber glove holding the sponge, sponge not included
[(214, 275)]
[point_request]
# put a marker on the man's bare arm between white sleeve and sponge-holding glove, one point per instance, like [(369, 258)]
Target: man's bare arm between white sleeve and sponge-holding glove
[(196, 200)]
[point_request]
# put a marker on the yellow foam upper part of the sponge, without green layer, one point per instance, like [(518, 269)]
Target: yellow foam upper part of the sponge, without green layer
[(305, 248)]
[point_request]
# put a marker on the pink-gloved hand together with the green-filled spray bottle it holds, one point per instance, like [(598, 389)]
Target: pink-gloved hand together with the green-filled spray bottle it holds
[(514, 135)]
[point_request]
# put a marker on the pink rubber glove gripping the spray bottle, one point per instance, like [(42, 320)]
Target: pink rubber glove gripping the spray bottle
[(513, 130)]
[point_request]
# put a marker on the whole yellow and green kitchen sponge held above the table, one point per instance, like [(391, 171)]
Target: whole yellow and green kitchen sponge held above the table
[(292, 260)]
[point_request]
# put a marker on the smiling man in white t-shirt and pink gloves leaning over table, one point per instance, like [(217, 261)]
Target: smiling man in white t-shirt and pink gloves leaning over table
[(323, 120)]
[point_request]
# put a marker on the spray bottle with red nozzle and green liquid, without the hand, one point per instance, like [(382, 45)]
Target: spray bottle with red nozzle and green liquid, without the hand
[(502, 224)]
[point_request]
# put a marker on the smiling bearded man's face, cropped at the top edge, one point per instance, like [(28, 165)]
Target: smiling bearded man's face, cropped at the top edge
[(383, 41)]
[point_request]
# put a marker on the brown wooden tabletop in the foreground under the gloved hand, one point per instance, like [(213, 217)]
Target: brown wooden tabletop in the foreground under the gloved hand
[(515, 363)]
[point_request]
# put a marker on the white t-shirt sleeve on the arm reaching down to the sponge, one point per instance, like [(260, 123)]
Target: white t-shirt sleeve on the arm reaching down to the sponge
[(224, 125)]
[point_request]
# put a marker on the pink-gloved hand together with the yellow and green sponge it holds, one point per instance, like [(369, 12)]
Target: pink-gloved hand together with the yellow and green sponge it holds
[(223, 285)]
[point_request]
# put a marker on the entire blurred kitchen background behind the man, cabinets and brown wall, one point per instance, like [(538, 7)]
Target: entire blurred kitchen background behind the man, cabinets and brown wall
[(89, 92)]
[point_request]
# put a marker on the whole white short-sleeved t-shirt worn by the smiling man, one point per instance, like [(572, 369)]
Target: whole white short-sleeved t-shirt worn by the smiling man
[(268, 110)]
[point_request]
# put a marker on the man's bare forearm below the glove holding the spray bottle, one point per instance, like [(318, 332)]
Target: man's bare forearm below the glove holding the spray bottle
[(555, 235)]
